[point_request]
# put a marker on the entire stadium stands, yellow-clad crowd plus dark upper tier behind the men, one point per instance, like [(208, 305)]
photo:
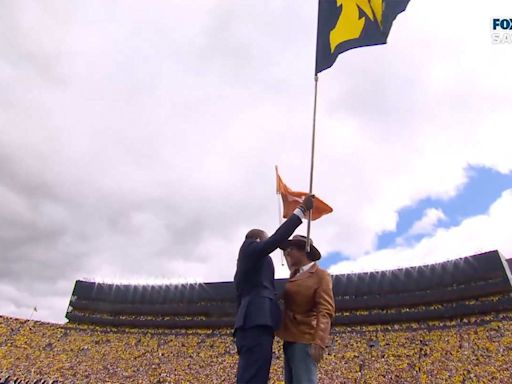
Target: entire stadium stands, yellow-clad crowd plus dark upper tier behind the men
[(443, 323)]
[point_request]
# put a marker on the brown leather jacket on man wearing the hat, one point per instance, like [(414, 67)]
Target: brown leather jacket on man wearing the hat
[(308, 307)]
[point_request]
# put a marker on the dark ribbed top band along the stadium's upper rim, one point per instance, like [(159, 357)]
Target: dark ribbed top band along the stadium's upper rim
[(460, 272)]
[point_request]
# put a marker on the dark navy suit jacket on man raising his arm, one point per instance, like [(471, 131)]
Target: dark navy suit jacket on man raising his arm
[(254, 279)]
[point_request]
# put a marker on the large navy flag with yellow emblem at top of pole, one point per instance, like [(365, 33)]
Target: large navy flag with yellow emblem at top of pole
[(347, 24)]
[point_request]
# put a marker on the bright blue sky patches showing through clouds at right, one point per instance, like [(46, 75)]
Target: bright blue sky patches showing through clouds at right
[(483, 187)]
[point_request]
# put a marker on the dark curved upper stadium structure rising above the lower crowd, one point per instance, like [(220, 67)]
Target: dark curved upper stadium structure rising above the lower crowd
[(475, 284)]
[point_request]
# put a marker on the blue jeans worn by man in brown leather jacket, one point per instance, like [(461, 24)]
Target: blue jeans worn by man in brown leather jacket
[(299, 367)]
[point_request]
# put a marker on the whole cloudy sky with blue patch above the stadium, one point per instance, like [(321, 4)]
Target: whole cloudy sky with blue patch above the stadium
[(138, 140)]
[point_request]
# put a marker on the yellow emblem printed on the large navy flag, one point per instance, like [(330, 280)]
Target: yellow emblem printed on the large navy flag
[(349, 25)]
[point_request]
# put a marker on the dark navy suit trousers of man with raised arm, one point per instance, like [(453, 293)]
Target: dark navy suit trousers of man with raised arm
[(254, 348)]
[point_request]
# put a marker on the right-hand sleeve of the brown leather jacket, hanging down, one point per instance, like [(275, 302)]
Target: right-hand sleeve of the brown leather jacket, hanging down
[(324, 306)]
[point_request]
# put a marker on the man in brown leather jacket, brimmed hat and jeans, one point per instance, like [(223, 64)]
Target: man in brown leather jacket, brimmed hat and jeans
[(308, 311)]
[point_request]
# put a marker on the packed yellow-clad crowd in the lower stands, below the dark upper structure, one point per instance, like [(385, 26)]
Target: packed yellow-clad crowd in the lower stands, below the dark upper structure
[(470, 350)]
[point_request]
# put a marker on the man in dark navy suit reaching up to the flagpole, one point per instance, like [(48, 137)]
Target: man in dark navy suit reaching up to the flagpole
[(258, 314)]
